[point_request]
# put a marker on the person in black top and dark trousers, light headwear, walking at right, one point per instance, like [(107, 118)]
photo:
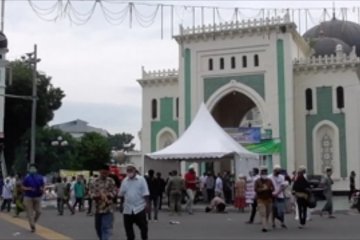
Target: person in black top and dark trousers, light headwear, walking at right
[(301, 189)]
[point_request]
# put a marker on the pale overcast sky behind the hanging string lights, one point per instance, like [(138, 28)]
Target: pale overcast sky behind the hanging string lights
[(97, 64)]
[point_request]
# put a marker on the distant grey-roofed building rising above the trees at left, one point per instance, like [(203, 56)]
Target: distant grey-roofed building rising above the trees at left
[(78, 128)]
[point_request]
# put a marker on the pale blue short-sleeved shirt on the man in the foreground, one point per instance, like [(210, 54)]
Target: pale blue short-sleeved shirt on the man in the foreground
[(134, 190)]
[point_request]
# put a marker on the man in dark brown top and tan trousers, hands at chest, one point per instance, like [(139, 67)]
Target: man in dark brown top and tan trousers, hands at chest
[(264, 189)]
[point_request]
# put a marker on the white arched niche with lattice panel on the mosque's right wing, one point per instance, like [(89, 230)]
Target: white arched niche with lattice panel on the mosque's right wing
[(326, 147)]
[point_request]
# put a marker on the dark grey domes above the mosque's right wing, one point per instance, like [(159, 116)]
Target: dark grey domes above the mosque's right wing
[(334, 32)]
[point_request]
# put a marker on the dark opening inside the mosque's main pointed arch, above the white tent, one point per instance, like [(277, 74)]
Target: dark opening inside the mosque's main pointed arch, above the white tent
[(232, 111)]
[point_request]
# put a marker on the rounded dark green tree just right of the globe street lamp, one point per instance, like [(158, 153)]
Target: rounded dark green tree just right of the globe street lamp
[(94, 151)]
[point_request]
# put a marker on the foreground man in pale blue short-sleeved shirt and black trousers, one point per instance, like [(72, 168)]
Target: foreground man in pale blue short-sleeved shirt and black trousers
[(134, 195)]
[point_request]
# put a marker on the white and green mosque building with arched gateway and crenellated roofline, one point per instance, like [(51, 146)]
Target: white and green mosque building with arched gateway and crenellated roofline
[(299, 93)]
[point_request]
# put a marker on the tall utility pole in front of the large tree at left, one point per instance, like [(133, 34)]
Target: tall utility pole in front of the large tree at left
[(33, 60)]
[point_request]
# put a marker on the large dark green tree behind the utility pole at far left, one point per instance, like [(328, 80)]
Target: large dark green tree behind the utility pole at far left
[(18, 111)]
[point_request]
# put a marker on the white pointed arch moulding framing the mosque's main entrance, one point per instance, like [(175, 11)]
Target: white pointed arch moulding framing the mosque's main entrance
[(232, 86)]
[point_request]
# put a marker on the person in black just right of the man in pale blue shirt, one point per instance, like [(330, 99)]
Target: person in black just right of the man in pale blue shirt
[(154, 186)]
